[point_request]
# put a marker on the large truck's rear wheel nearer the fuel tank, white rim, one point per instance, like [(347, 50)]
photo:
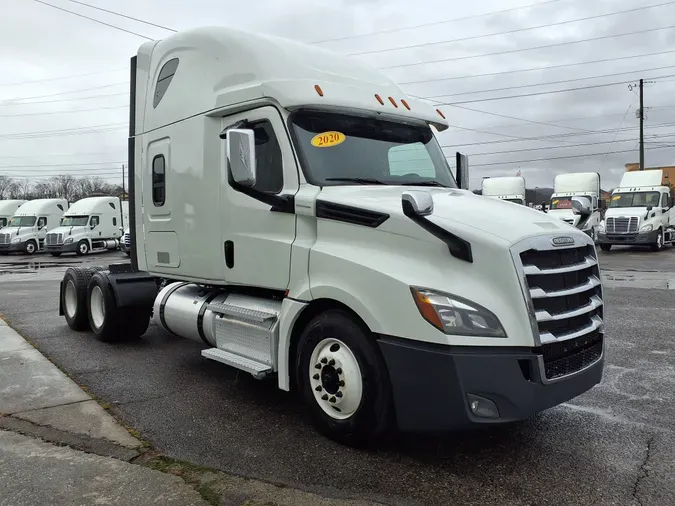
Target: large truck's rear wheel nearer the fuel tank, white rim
[(104, 317)]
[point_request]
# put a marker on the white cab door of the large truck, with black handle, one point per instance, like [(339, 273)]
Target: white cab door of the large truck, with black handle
[(256, 241)]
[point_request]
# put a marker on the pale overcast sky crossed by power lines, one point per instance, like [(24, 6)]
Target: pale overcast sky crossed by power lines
[(58, 59)]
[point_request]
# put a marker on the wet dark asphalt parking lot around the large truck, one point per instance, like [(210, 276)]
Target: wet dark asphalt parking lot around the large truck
[(612, 445)]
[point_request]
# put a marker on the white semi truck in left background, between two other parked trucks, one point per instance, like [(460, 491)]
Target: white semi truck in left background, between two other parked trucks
[(28, 227)]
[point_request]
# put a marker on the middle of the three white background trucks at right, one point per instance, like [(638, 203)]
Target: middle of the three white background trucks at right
[(579, 184)]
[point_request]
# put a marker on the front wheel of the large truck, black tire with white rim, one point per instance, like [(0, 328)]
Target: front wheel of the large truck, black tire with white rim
[(356, 413)]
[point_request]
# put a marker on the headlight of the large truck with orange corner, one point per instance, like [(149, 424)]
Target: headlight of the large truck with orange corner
[(454, 315)]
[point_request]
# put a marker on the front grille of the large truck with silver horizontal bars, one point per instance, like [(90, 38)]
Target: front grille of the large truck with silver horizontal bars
[(565, 296)]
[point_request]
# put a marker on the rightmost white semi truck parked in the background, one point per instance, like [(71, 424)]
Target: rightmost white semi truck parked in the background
[(640, 212)]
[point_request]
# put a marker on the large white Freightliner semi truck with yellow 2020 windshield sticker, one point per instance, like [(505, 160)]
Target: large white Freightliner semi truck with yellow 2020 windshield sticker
[(269, 225)]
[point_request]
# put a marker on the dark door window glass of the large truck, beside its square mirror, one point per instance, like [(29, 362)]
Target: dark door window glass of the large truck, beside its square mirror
[(270, 169)]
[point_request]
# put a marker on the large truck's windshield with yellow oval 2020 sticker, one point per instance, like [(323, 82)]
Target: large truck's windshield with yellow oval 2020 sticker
[(339, 149)]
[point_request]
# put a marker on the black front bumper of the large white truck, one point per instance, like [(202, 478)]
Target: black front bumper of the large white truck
[(431, 383)]
